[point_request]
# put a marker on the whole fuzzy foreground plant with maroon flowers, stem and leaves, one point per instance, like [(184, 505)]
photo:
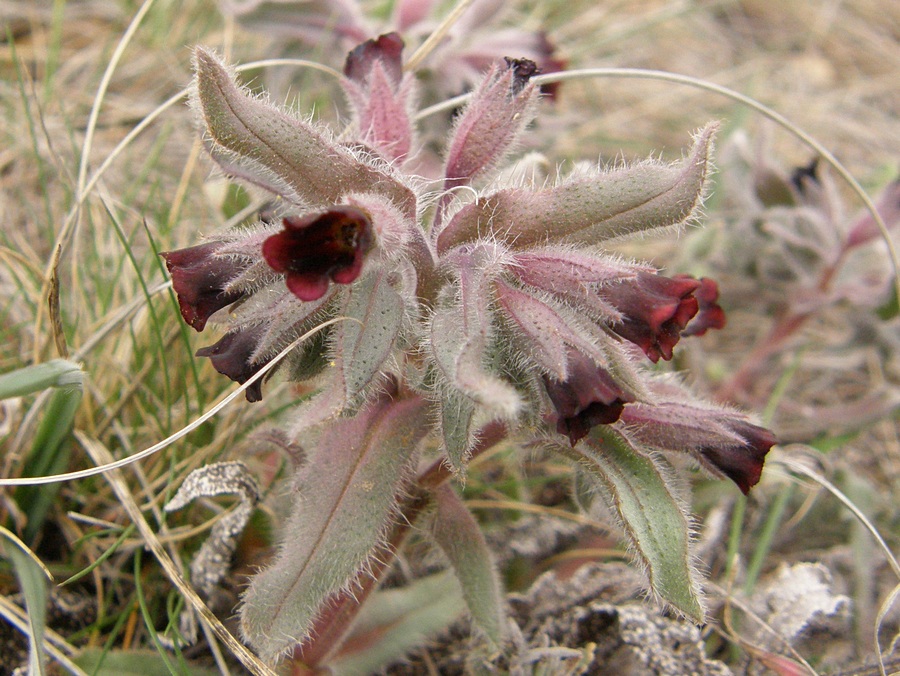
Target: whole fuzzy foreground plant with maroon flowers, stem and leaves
[(471, 309)]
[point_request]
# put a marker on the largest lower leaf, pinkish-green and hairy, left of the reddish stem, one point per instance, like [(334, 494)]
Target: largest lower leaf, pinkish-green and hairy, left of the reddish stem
[(344, 500)]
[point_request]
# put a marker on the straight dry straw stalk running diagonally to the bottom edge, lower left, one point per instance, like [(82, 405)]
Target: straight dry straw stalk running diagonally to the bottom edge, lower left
[(100, 454)]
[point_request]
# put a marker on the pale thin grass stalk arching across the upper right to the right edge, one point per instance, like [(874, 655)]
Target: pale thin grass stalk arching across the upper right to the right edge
[(674, 78)]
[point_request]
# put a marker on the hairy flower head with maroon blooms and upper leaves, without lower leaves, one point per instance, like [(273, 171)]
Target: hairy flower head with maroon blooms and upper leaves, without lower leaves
[(502, 297)]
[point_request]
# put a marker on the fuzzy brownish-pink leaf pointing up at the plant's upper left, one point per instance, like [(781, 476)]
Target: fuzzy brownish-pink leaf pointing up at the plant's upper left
[(319, 171)]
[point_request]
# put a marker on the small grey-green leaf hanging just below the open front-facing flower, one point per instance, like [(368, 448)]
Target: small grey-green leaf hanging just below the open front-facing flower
[(361, 347)]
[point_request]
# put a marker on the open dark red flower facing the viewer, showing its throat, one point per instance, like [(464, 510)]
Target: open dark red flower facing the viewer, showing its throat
[(320, 248)]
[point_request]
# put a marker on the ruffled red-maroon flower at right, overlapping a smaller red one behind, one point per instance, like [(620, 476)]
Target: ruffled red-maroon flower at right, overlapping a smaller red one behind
[(656, 310)]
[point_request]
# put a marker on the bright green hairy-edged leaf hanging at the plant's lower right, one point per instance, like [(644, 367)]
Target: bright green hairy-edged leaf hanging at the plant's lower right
[(653, 519)]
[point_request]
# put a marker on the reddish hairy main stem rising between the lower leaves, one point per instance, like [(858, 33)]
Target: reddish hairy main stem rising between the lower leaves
[(331, 627)]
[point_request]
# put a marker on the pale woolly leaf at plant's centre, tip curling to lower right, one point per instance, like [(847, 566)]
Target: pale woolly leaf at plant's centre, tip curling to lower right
[(461, 335)]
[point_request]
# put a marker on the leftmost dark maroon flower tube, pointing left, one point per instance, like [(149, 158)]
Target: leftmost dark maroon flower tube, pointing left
[(199, 279)]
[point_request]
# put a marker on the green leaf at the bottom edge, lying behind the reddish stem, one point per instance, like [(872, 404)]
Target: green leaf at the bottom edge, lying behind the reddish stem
[(396, 621)]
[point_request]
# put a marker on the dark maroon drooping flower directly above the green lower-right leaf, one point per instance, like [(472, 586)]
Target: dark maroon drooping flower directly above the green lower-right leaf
[(589, 396)]
